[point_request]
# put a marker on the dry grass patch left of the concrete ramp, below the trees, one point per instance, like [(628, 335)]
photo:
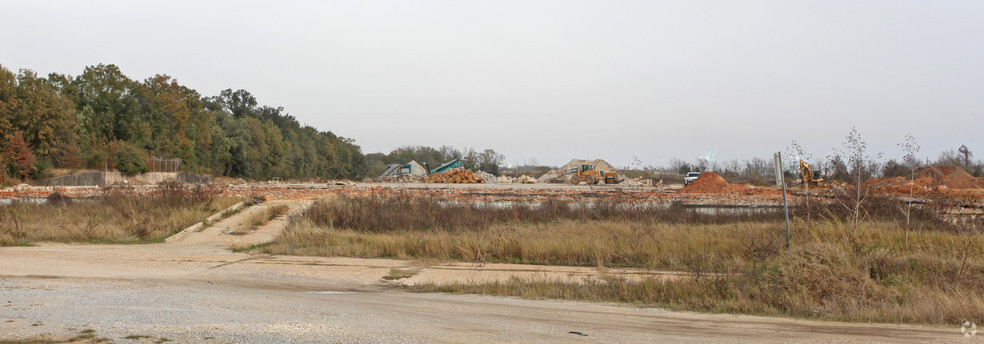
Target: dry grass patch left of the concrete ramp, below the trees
[(114, 217)]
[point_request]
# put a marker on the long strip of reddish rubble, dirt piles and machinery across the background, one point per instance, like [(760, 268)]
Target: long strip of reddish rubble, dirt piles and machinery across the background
[(948, 190)]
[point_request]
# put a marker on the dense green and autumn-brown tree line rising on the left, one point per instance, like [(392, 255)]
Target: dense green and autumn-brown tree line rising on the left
[(102, 119)]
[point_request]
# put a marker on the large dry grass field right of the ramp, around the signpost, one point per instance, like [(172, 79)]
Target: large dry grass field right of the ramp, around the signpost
[(738, 262)]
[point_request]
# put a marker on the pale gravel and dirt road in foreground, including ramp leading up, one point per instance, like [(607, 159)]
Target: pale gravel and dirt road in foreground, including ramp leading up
[(196, 290)]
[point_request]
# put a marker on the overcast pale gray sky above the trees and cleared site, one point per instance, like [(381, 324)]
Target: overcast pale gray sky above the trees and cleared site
[(552, 80)]
